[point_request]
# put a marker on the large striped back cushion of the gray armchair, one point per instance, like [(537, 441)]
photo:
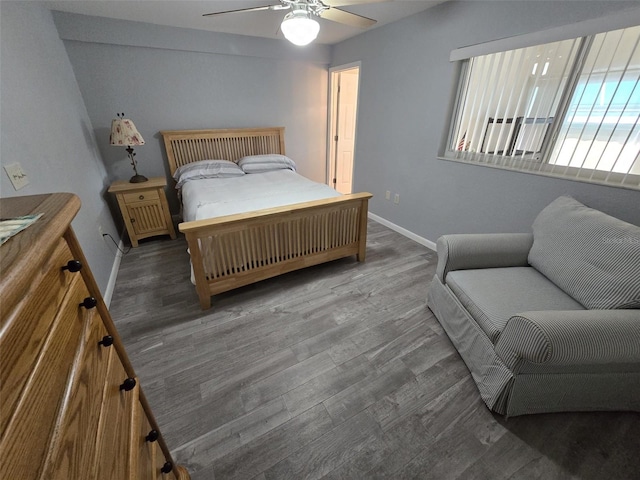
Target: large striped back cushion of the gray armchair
[(592, 256)]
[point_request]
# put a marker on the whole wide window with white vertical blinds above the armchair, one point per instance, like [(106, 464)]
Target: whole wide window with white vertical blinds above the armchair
[(569, 108)]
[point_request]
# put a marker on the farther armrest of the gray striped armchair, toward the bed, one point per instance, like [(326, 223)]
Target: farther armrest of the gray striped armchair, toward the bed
[(482, 250)]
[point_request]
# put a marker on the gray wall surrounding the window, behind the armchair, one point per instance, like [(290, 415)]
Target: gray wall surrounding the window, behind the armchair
[(405, 97)]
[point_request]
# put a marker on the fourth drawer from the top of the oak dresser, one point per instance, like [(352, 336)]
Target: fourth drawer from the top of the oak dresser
[(113, 454)]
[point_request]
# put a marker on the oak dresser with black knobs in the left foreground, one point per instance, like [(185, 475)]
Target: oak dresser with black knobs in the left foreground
[(71, 406)]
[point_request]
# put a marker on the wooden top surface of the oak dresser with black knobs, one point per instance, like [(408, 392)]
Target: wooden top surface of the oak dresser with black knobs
[(25, 251)]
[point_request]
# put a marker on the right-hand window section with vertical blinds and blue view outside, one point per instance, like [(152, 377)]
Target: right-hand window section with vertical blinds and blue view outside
[(601, 132)]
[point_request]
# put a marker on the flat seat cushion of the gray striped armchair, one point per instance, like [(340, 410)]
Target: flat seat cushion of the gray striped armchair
[(493, 295)]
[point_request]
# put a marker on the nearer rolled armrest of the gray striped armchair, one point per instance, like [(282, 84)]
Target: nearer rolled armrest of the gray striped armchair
[(571, 337)]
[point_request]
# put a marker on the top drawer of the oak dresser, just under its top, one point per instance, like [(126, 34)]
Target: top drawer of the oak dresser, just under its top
[(25, 328)]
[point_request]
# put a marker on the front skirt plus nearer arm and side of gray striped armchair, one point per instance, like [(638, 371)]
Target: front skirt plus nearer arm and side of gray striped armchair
[(548, 368)]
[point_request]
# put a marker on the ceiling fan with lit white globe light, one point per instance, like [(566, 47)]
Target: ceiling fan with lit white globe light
[(300, 27)]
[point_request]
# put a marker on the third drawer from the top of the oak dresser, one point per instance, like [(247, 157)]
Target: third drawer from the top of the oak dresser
[(75, 450)]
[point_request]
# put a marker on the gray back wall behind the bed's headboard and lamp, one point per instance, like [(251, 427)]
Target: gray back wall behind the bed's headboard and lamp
[(166, 78)]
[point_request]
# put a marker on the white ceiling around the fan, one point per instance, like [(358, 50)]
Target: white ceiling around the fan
[(188, 14)]
